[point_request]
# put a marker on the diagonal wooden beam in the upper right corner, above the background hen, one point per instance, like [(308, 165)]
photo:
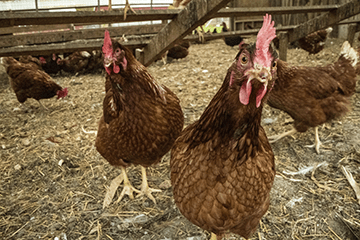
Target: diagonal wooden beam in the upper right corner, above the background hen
[(345, 11)]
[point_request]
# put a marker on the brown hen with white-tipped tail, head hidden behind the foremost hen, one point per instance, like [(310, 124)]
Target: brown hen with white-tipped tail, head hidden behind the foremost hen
[(314, 95)]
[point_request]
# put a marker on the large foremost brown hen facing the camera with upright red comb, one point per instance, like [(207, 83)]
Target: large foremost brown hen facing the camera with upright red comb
[(222, 166)]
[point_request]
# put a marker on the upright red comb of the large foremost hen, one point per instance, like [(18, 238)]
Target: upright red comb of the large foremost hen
[(266, 34)]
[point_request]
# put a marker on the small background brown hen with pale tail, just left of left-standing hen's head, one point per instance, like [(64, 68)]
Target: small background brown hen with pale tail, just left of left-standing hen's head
[(75, 63)]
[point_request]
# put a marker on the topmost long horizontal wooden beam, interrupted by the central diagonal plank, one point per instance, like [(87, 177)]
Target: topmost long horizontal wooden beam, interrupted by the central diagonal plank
[(9, 19)]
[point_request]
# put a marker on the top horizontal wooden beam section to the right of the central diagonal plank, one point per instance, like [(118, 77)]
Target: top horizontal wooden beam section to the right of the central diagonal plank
[(237, 12)]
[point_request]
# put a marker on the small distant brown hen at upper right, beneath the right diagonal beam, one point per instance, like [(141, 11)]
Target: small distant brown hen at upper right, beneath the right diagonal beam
[(314, 42)]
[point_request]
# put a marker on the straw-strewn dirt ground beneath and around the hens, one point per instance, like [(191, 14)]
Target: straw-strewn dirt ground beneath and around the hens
[(53, 181)]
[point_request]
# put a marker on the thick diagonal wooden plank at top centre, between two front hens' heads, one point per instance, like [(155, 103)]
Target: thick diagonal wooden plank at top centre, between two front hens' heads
[(196, 13)]
